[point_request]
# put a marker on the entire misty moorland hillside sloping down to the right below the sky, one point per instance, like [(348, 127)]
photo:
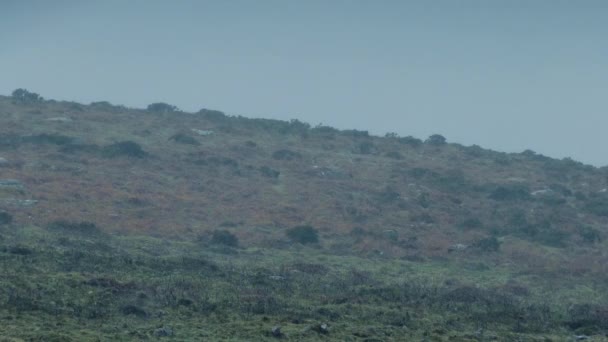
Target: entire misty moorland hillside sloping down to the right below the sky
[(130, 224)]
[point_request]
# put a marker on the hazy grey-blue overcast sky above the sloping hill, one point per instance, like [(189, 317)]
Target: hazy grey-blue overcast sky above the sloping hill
[(509, 75)]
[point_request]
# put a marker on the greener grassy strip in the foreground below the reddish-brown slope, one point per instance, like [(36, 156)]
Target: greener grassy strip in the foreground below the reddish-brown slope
[(62, 285)]
